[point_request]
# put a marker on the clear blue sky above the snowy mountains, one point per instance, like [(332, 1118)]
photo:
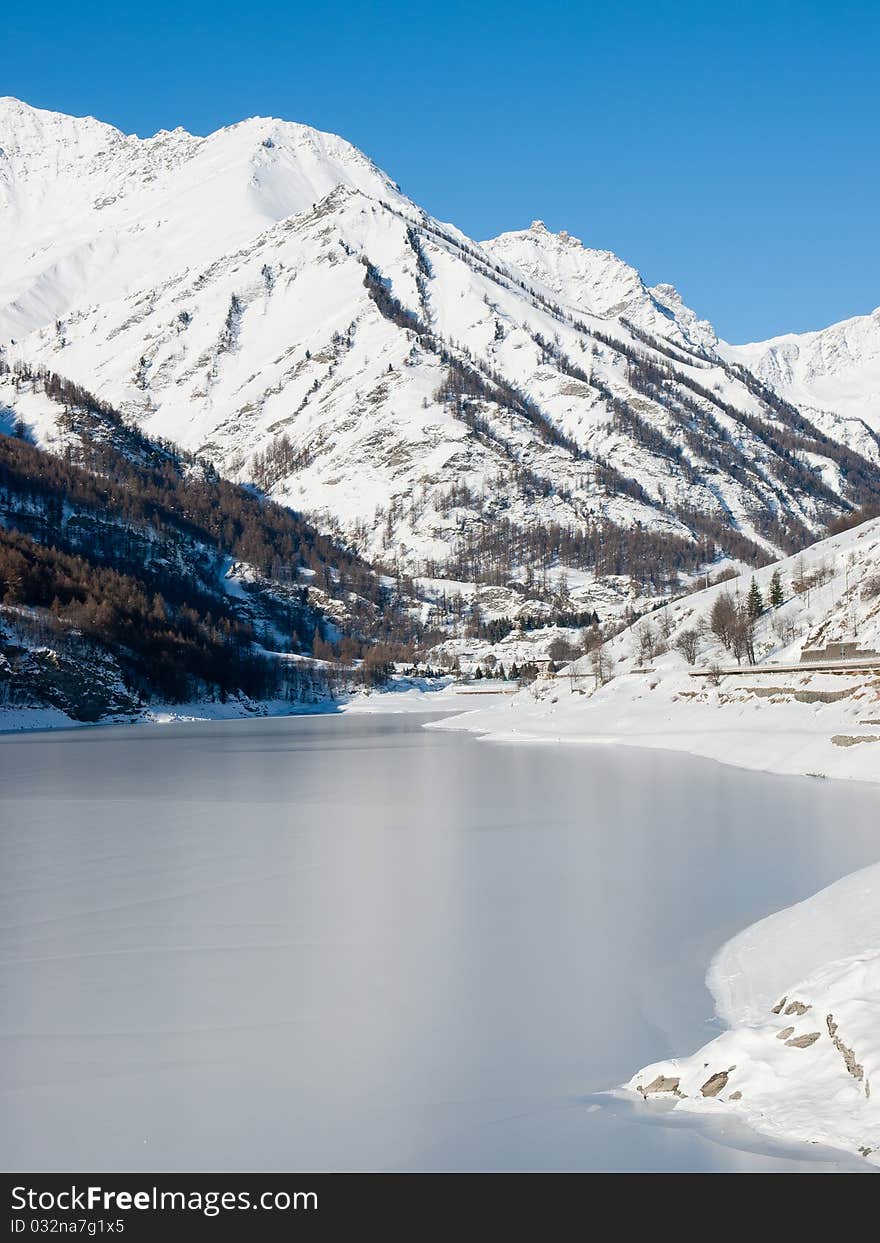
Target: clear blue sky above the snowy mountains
[(731, 151)]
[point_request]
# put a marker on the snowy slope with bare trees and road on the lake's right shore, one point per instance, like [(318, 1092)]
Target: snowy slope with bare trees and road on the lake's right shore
[(669, 682)]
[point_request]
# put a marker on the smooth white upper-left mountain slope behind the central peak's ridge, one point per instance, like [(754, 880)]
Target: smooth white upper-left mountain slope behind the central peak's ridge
[(89, 214)]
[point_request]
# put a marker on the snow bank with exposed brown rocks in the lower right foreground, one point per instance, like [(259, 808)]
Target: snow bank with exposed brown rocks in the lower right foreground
[(801, 991)]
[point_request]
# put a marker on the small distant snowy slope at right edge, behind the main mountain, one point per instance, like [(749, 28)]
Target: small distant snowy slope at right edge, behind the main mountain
[(835, 370)]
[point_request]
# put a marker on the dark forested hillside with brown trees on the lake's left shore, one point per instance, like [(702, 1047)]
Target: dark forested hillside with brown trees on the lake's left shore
[(131, 571)]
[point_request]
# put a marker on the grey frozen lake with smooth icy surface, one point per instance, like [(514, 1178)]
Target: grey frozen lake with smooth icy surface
[(354, 944)]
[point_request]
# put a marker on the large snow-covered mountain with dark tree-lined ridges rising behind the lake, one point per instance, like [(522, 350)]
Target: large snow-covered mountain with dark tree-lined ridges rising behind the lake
[(270, 299)]
